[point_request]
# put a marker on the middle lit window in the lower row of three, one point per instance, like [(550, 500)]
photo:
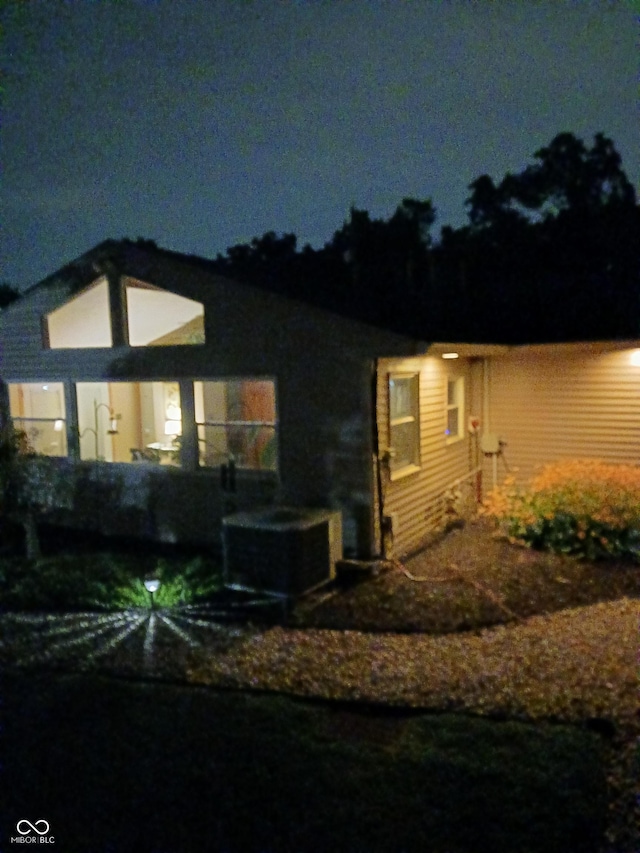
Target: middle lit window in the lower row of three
[(130, 421)]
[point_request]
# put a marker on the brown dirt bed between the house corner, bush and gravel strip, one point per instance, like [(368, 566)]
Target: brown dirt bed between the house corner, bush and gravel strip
[(469, 578)]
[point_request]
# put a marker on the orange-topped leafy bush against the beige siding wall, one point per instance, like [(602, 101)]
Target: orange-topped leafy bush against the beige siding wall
[(583, 507)]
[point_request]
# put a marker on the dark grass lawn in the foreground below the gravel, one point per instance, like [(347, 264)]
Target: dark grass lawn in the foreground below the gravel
[(122, 766)]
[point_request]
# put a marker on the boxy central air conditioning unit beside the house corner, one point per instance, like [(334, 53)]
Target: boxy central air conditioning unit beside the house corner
[(281, 551)]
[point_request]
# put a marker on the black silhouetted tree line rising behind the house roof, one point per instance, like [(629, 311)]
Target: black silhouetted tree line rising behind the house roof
[(550, 253)]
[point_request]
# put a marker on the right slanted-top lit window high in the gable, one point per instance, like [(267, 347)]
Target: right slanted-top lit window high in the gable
[(159, 318)]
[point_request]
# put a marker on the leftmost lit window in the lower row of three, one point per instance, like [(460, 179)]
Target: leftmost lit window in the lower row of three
[(37, 409)]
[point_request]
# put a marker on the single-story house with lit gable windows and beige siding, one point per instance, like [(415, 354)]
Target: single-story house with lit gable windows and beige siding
[(172, 396)]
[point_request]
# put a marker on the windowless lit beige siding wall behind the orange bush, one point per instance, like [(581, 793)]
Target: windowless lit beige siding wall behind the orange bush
[(564, 403)]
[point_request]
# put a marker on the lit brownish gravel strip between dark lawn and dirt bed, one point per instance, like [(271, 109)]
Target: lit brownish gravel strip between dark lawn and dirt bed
[(574, 665)]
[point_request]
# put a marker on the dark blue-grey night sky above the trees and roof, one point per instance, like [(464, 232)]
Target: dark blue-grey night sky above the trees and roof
[(204, 123)]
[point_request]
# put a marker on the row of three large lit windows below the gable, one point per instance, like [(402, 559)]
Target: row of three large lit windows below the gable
[(133, 422)]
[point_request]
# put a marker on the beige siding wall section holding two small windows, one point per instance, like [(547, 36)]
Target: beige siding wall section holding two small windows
[(418, 500)]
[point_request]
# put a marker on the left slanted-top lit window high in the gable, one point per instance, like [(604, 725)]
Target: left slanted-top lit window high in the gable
[(82, 322)]
